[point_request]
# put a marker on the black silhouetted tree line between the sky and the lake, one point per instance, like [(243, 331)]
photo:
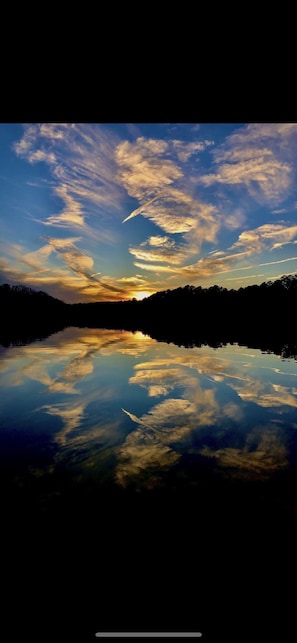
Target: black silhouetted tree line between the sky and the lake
[(260, 315)]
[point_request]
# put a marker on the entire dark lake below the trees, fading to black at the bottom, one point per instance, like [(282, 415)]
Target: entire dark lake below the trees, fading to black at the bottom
[(146, 486)]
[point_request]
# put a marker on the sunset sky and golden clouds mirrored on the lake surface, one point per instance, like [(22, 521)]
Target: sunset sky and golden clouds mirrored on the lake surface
[(128, 410)]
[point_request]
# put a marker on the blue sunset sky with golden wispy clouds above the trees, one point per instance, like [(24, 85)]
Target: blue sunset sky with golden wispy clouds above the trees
[(113, 211)]
